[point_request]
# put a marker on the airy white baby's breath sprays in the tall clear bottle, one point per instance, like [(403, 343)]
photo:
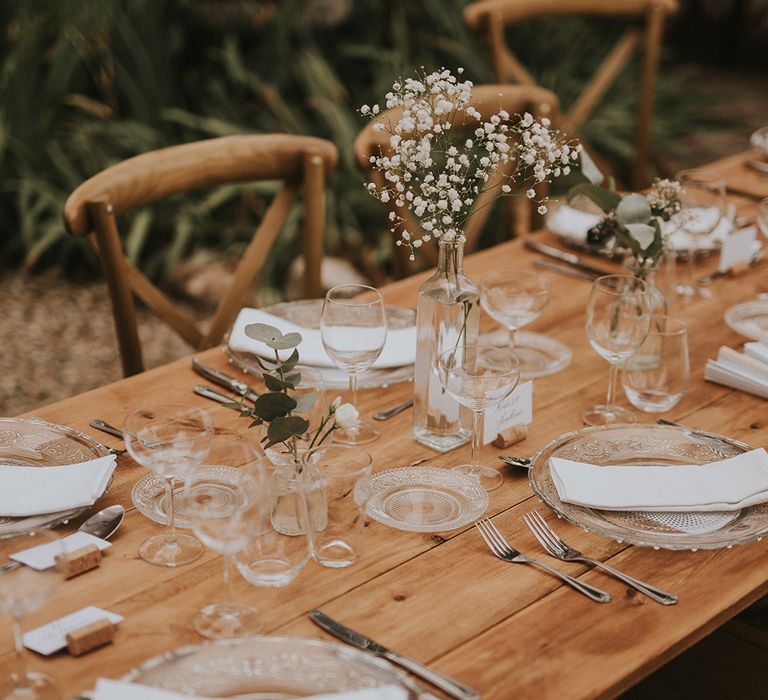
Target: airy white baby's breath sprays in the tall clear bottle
[(437, 175)]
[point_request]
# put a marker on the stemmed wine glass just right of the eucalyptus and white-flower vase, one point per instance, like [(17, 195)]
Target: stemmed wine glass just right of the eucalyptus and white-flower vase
[(702, 203)]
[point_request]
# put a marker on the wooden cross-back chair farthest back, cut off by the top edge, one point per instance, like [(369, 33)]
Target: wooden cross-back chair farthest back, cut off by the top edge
[(490, 17)]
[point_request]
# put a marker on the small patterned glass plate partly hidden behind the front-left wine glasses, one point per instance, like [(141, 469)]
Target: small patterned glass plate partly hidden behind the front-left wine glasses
[(148, 494)]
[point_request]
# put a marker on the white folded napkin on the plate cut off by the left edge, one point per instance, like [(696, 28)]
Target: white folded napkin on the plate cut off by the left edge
[(38, 490)]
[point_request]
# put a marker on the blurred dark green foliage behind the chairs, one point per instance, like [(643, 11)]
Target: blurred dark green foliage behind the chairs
[(87, 83)]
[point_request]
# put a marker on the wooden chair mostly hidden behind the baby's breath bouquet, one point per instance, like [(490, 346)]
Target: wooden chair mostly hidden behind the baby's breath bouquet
[(488, 100)]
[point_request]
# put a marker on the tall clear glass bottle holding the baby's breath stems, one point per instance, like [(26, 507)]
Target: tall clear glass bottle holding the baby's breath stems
[(447, 315)]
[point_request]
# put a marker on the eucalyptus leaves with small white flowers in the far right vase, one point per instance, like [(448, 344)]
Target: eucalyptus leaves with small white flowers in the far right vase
[(633, 222)]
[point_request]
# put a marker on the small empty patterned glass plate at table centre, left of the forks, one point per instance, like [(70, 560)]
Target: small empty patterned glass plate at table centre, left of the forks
[(426, 499)]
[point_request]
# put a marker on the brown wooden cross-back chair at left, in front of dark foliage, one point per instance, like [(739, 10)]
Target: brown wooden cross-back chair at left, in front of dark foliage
[(92, 209)]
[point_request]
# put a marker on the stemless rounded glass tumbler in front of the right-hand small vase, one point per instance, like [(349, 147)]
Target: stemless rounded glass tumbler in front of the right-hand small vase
[(656, 377)]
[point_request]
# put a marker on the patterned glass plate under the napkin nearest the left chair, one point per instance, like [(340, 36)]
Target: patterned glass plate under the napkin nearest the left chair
[(306, 313)]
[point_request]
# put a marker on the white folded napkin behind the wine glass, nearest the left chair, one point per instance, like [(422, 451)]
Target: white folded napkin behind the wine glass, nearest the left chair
[(399, 348)]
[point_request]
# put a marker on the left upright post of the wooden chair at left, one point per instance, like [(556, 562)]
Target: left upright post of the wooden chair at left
[(111, 254)]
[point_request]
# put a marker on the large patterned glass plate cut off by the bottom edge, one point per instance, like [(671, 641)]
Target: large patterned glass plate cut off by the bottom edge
[(268, 668)]
